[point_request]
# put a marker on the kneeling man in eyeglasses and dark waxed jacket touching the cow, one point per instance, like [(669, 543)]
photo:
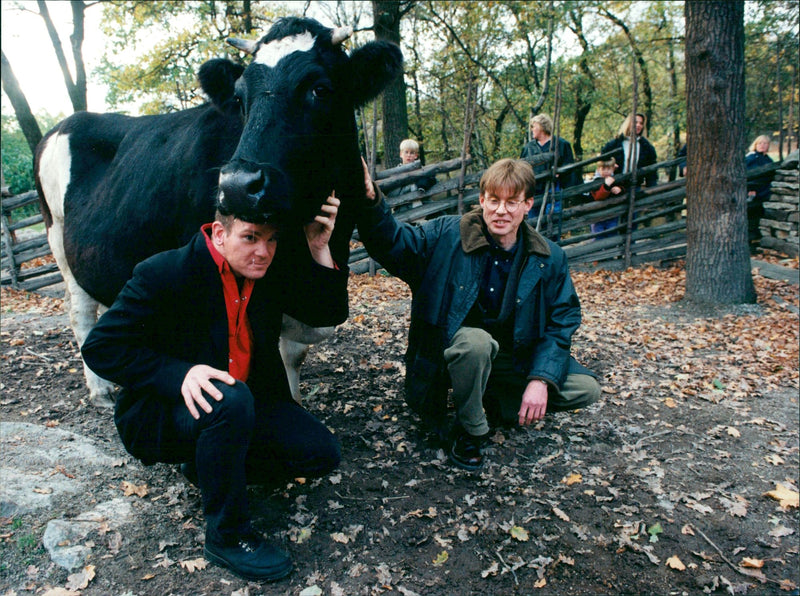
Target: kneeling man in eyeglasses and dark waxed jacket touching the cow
[(492, 315)]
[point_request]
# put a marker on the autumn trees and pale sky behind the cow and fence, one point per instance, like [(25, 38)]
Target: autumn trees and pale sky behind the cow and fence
[(499, 62)]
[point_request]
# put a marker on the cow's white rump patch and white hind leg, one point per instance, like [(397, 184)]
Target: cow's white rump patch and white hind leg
[(54, 170)]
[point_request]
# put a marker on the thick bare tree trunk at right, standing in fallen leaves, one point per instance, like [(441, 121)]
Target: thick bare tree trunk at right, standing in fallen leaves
[(718, 256)]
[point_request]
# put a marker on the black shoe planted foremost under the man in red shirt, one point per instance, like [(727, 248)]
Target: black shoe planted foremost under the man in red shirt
[(251, 558)]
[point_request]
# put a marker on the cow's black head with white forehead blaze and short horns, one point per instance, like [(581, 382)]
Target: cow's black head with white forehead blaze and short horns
[(297, 99)]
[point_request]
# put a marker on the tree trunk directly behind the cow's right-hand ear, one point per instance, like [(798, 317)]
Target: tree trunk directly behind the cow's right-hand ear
[(386, 17)]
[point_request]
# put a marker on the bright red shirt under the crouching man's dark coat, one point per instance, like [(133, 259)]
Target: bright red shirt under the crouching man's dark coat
[(240, 335)]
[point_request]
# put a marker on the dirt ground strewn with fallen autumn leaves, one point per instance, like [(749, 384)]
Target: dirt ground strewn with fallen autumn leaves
[(682, 480)]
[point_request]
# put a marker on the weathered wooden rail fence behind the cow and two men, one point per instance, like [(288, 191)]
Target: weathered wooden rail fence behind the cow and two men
[(658, 230)]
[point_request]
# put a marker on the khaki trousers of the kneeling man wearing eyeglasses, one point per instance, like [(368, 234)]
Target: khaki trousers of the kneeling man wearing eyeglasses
[(484, 382)]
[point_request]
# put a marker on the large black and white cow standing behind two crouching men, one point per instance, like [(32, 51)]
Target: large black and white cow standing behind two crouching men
[(280, 133)]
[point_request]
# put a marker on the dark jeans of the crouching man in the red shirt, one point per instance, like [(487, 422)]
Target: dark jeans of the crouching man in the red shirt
[(247, 441)]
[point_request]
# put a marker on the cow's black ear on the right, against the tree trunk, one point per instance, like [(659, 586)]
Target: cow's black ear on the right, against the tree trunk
[(372, 67)]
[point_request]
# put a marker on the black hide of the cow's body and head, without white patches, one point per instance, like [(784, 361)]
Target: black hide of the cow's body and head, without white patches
[(140, 185)]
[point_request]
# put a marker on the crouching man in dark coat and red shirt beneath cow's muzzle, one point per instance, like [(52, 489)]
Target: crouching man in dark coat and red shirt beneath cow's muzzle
[(192, 339)]
